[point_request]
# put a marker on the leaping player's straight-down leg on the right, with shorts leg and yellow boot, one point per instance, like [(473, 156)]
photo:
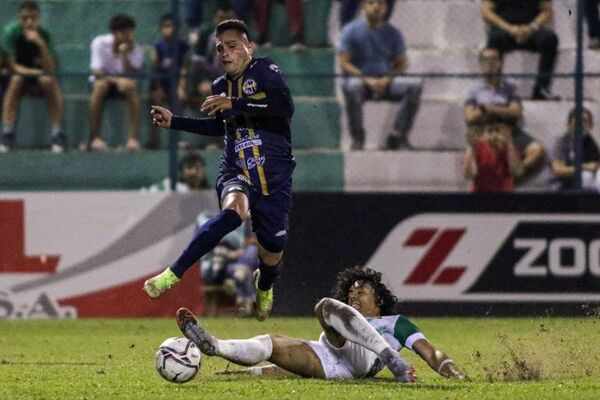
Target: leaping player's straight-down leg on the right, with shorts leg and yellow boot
[(270, 221)]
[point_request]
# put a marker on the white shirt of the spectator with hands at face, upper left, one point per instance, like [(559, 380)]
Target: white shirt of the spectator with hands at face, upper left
[(105, 60)]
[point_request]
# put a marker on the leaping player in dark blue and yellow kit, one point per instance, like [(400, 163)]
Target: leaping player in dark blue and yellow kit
[(251, 106)]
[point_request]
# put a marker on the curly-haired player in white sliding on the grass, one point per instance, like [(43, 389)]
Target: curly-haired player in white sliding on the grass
[(361, 334)]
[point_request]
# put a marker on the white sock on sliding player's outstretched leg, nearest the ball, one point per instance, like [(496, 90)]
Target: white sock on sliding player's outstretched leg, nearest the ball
[(246, 352)]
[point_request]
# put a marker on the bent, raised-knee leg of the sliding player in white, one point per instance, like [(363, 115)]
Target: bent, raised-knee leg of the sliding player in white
[(342, 322)]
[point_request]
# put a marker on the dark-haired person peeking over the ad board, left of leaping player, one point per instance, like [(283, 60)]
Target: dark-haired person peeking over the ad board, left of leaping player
[(191, 176)]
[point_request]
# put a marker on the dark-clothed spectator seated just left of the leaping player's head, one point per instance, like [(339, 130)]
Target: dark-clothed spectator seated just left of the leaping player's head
[(196, 79)]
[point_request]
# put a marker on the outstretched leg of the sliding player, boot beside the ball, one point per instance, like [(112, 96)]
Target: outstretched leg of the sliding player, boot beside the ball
[(294, 355)]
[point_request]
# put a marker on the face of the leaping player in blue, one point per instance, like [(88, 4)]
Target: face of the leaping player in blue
[(234, 51)]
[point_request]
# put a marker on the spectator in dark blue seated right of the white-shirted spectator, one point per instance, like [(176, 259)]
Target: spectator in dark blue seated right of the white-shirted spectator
[(162, 55)]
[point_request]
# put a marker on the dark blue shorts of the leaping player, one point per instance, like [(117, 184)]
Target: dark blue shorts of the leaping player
[(270, 214)]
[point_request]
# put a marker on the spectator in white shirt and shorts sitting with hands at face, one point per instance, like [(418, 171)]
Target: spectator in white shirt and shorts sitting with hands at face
[(116, 57)]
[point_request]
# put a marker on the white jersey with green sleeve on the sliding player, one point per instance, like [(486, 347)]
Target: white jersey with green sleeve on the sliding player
[(397, 330)]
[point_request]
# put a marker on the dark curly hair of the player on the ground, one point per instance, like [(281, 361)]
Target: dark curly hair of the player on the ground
[(346, 278)]
